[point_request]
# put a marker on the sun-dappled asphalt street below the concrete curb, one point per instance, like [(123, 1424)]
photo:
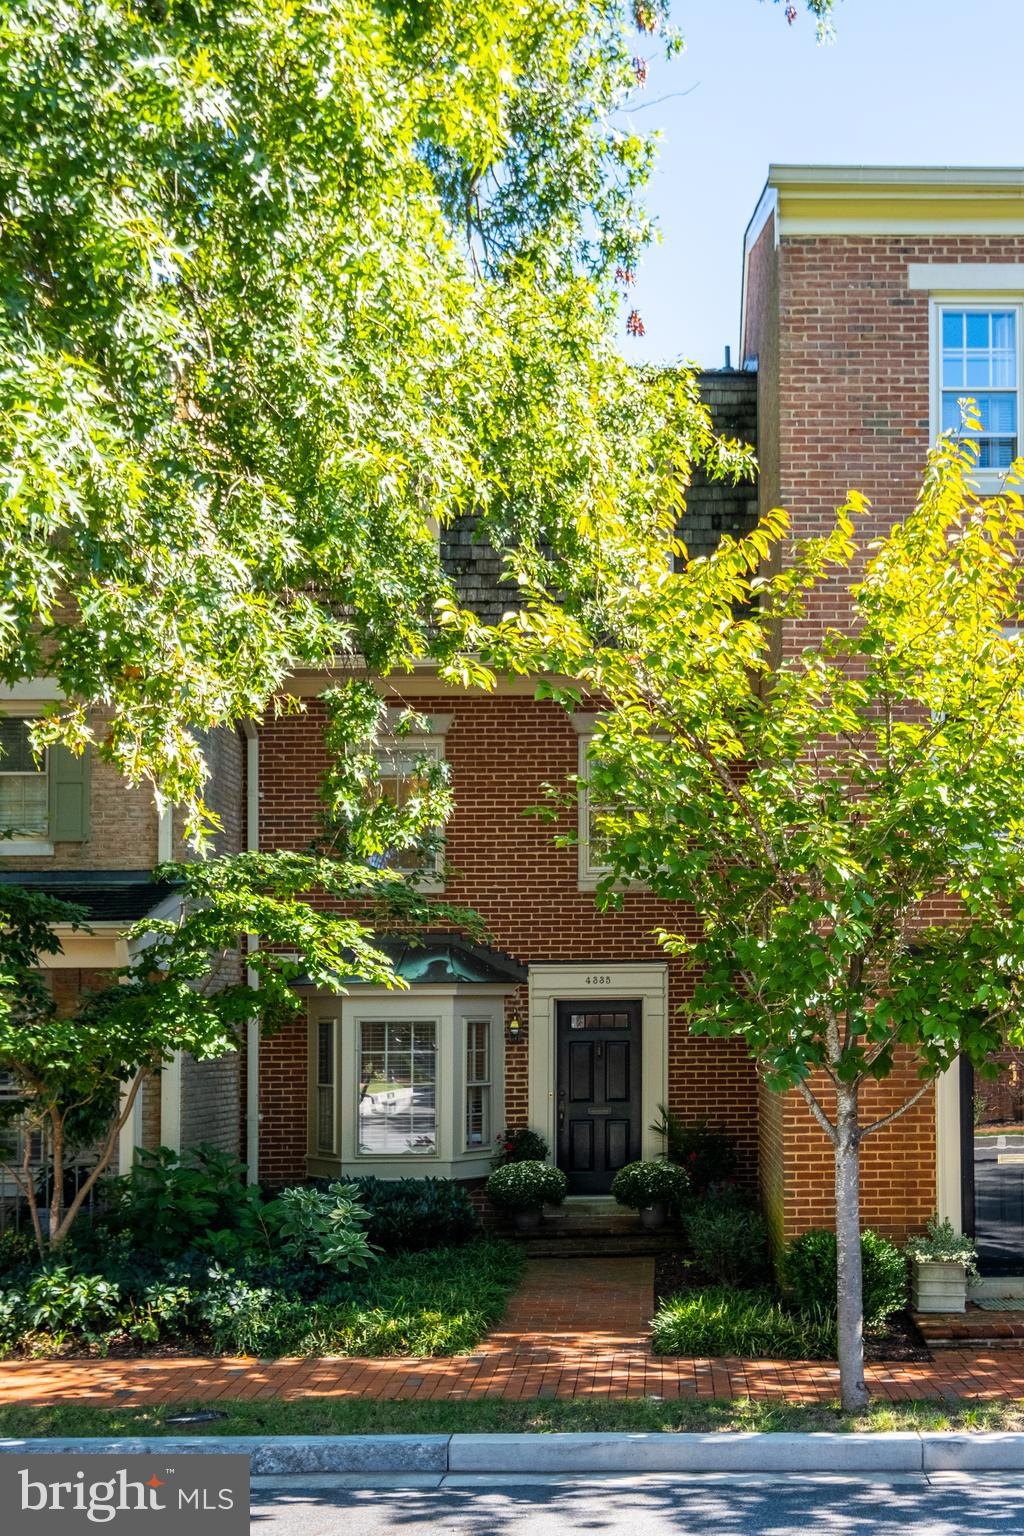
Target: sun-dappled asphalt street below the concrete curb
[(911, 1505)]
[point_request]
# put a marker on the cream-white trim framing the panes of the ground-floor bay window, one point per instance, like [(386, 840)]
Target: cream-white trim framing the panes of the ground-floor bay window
[(449, 1010)]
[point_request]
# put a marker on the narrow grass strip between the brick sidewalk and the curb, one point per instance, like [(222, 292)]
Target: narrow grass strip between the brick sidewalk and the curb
[(538, 1417)]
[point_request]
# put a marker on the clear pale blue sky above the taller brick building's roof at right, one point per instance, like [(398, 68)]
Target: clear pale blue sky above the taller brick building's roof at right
[(907, 82)]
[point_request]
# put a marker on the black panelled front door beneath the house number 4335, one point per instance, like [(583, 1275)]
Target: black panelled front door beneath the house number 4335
[(598, 1093)]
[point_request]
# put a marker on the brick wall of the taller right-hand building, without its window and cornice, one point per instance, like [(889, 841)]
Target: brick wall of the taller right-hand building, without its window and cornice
[(842, 346)]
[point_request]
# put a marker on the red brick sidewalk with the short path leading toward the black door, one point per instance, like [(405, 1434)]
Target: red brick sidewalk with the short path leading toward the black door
[(578, 1328)]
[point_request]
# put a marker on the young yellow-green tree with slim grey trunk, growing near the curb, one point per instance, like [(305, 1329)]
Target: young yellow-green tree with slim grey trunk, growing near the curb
[(813, 812)]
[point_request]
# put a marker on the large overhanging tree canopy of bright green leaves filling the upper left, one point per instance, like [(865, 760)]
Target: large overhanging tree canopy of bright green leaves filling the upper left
[(283, 286)]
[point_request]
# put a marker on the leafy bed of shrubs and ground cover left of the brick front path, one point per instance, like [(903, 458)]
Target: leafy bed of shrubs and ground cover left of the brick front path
[(187, 1256)]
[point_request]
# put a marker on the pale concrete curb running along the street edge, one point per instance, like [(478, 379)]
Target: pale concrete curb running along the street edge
[(283, 1455)]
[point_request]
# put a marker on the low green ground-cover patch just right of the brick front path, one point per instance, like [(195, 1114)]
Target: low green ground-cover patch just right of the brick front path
[(745, 1323)]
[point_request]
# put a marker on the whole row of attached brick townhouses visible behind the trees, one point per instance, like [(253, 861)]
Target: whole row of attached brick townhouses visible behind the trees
[(871, 300)]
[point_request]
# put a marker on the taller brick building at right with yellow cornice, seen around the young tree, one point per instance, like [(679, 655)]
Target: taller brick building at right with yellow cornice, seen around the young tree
[(873, 299)]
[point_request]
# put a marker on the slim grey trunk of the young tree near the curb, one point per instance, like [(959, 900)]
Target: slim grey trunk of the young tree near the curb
[(851, 1291)]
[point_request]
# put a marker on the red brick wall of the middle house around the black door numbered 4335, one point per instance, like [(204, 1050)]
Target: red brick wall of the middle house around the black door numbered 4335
[(501, 753)]
